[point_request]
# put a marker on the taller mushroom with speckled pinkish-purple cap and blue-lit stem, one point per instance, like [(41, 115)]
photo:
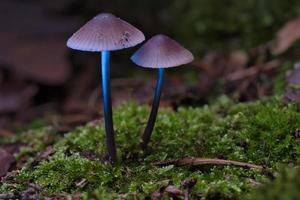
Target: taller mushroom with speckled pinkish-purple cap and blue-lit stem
[(105, 33)]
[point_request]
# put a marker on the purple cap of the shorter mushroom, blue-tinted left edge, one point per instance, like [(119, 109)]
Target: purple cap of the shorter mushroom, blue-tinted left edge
[(161, 52)]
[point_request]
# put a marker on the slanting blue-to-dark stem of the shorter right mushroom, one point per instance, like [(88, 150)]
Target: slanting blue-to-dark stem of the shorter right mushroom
[(152, 118)]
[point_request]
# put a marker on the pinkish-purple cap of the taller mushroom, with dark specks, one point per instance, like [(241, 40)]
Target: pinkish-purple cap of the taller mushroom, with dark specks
[(105, 32)]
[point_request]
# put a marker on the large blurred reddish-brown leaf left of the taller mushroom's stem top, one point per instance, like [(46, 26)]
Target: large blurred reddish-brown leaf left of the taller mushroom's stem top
[(42, 61)]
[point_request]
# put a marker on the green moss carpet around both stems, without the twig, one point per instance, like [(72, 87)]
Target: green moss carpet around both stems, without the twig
[(261, 132)]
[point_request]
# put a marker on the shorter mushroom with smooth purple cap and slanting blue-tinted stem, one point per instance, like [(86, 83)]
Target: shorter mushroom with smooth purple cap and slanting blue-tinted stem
[(159, 52)]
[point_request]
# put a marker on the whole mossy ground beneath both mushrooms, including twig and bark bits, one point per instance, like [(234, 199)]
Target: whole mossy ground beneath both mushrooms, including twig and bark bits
[(263, 136)]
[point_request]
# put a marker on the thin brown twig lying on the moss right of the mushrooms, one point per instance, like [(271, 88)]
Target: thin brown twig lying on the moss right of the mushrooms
[(205, 161)]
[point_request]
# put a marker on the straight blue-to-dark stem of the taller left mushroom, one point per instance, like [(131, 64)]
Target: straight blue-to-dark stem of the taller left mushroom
[(110, 140)]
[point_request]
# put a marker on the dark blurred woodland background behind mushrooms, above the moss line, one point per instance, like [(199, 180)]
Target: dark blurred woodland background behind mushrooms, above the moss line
[(243, 49)]
